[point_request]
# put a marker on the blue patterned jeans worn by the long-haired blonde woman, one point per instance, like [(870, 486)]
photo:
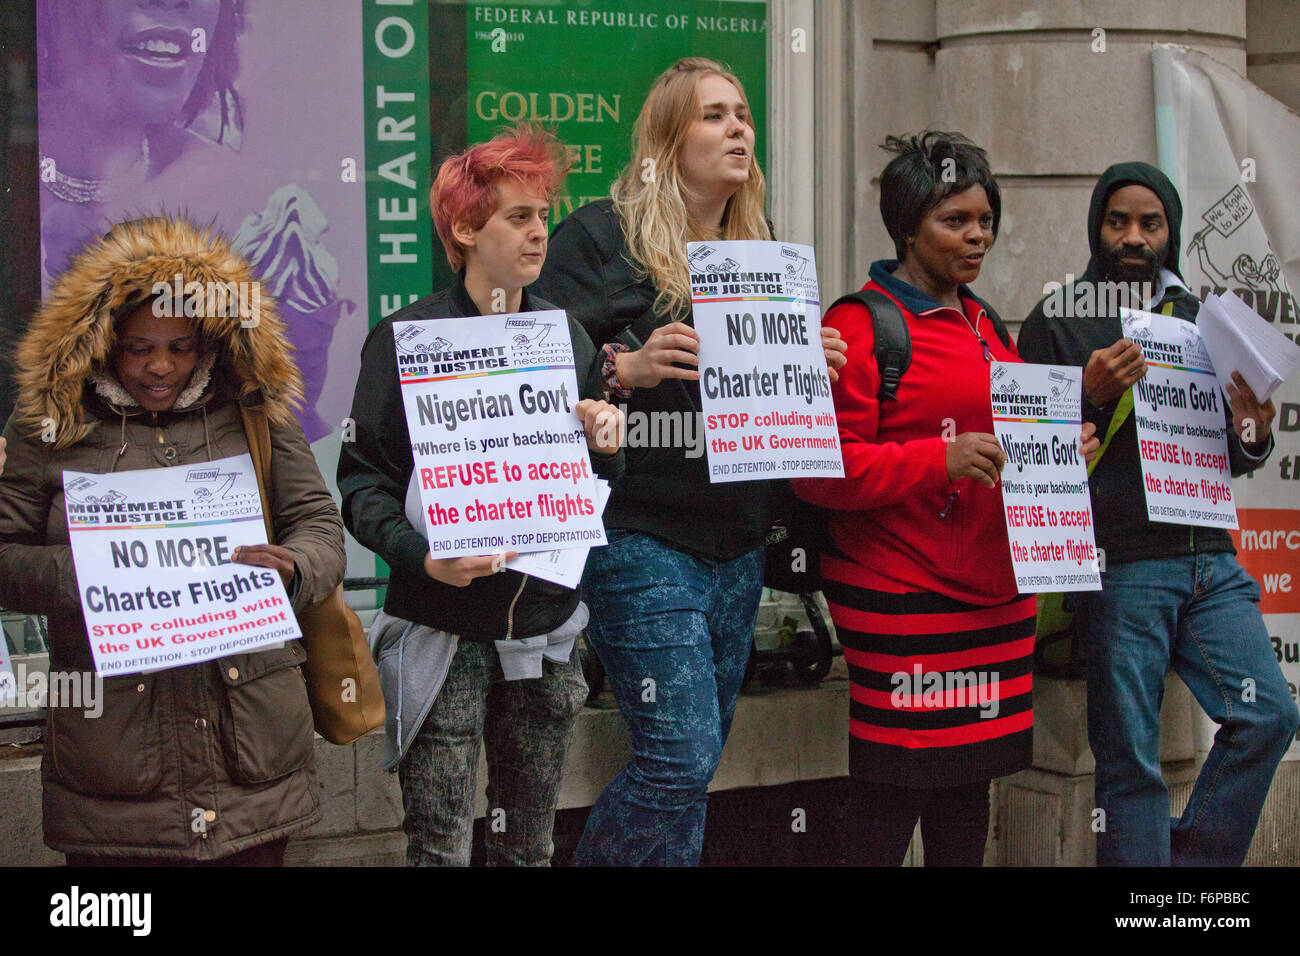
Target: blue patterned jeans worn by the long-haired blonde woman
[(674, 634)]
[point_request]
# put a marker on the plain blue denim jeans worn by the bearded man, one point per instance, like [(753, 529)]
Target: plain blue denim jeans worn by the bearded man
[(1198, 615)]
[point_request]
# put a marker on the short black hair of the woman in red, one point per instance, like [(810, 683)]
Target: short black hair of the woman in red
[(915, 183)]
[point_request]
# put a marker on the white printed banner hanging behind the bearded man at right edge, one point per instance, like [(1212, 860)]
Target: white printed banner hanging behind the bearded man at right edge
[(1232, 150)]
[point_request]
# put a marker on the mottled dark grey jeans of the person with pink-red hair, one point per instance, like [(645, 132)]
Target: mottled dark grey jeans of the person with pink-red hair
[(526, 725)]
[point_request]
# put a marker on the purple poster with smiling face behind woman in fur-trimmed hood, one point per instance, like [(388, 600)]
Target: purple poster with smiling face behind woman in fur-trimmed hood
[(246, 115)]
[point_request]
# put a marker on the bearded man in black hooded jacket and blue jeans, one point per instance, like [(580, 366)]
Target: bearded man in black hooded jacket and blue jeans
[(1173, 596)]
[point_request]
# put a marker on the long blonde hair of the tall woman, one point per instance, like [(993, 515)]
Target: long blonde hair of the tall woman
[(651, 198)]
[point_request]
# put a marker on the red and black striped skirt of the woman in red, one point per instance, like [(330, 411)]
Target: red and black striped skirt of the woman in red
[(942, 691)]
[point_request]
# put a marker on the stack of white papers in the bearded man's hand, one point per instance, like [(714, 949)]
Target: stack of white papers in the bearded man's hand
[(1238, 340)]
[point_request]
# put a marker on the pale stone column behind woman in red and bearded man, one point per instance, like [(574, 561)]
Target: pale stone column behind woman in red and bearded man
[(1056, 93)]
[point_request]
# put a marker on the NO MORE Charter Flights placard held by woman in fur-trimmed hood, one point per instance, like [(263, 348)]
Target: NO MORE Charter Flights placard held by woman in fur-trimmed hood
[(153, 556)]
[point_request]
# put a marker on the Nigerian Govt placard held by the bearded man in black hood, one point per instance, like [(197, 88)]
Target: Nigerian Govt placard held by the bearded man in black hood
[(1180, 412)]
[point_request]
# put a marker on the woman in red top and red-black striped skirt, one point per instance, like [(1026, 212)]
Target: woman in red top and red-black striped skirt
[(918, 574)]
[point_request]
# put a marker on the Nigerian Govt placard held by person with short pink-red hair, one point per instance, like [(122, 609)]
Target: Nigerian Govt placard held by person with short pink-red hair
[(500, 456)]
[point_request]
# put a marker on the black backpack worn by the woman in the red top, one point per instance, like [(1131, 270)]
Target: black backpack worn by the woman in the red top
[(800, 531)]
